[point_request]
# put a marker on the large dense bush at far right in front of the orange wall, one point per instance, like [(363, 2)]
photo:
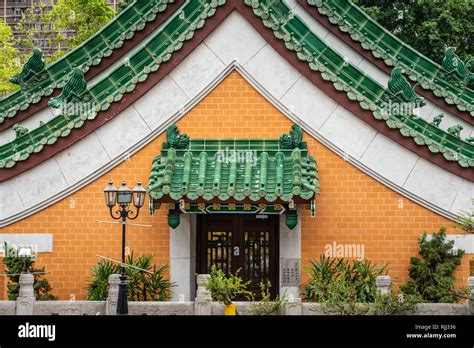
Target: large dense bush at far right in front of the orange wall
[(432, 275)]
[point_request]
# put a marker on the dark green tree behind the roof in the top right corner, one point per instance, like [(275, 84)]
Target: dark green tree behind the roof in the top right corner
[(428, 26)]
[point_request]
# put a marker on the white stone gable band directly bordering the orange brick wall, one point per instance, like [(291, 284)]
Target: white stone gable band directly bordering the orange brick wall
[(362, 146)]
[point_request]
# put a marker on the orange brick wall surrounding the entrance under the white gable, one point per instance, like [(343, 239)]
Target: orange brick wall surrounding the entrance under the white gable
[(352, 207)]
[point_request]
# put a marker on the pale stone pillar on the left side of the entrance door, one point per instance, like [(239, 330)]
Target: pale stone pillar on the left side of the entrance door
[(183, 258)]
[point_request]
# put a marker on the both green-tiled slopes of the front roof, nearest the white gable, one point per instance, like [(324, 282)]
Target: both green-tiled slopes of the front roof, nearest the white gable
[(170, 37)]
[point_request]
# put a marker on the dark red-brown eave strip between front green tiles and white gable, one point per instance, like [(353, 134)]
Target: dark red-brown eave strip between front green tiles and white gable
[(327, 86)]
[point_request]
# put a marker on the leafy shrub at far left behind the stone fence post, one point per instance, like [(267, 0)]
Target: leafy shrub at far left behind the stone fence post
[(15, 265)]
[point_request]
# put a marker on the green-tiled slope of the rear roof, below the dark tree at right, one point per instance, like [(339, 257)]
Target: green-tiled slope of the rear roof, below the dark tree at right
[(384, 45)]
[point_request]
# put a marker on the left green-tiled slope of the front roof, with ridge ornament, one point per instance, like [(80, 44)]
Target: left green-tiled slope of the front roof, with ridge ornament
[(156, 49)]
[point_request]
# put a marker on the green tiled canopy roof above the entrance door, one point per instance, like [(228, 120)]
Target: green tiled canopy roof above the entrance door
[(235, 170)]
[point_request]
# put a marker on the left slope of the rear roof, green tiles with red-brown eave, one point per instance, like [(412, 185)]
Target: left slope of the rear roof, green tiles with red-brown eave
[(93, 60)]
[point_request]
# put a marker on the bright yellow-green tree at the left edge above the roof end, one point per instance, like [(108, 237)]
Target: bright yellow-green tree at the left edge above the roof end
[(9, 59)]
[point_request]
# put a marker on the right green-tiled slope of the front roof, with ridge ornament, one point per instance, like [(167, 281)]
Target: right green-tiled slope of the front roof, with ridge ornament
[(357, 85)]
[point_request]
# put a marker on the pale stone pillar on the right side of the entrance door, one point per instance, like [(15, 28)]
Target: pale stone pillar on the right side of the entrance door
[(290, 260)]
